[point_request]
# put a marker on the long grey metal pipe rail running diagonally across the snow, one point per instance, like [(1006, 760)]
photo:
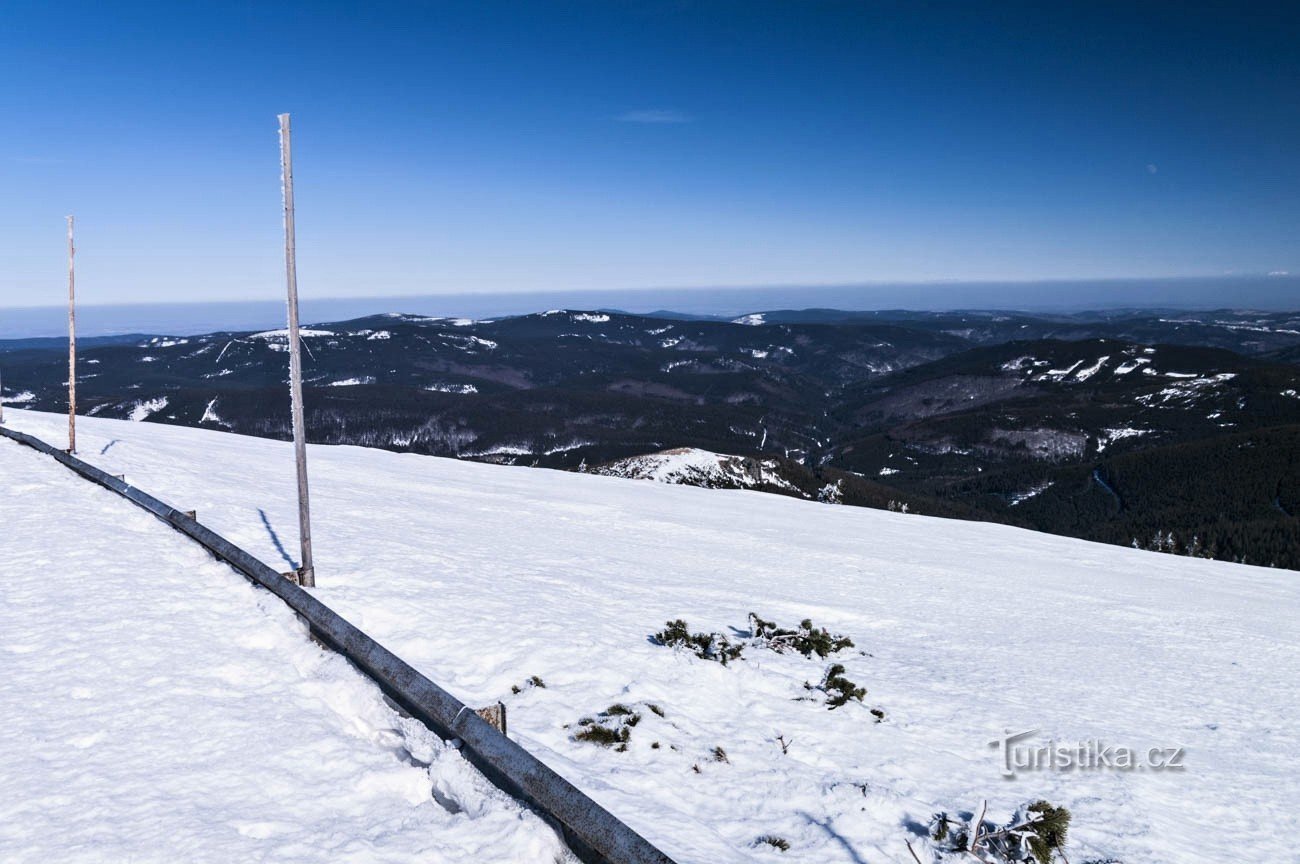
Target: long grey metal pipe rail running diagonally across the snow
[(592, 832)]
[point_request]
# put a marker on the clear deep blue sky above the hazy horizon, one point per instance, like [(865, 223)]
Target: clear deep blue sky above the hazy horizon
[(569, 146)]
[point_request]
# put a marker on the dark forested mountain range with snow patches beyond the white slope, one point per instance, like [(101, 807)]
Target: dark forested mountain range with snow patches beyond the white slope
[(1173, 431)]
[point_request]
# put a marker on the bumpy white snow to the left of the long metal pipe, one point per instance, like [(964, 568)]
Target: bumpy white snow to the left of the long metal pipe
[(157, 707)]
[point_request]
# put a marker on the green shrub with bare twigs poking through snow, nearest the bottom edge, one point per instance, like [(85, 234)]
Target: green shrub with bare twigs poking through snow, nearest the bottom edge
[(1035, 833)]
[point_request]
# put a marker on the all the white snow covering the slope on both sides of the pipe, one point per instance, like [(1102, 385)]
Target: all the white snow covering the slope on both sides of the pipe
[(218, 718)]
